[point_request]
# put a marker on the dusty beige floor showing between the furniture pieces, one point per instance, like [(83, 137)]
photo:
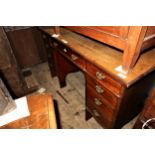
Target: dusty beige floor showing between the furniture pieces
[(70, 99)]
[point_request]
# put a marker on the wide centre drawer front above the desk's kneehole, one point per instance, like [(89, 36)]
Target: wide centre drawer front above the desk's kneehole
[(74, 57)]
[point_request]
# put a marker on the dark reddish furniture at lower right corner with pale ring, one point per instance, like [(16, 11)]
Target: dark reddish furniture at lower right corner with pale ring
[(146, 119)]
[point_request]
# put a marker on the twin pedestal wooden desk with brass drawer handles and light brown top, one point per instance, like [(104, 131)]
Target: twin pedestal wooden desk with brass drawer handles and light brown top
[(113, 97)]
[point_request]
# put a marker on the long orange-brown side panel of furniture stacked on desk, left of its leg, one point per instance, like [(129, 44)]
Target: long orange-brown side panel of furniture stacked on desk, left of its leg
[(105, 36)]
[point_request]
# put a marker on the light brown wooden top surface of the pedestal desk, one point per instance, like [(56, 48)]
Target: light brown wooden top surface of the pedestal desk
[(106, 57)]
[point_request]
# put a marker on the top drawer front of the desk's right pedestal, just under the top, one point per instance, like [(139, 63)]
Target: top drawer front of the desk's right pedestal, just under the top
[(106, 80)]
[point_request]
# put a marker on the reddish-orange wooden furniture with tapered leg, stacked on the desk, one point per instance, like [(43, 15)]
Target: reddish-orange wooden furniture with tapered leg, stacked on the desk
[(130, 39)]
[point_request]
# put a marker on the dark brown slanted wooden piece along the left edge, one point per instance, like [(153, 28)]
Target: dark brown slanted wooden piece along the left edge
[(9, 66)]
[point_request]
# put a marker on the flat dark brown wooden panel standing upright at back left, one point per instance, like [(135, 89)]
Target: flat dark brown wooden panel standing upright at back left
[(27, 43)]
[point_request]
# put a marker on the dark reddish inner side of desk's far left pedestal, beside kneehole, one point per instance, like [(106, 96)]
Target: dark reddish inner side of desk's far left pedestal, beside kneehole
[(63, 67)]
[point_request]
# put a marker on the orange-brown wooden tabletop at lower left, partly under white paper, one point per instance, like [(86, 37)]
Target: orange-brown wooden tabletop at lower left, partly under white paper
[(42, 114)]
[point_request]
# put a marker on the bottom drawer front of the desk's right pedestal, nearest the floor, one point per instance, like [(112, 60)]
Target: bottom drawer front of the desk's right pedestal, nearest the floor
[(104, 116)]
